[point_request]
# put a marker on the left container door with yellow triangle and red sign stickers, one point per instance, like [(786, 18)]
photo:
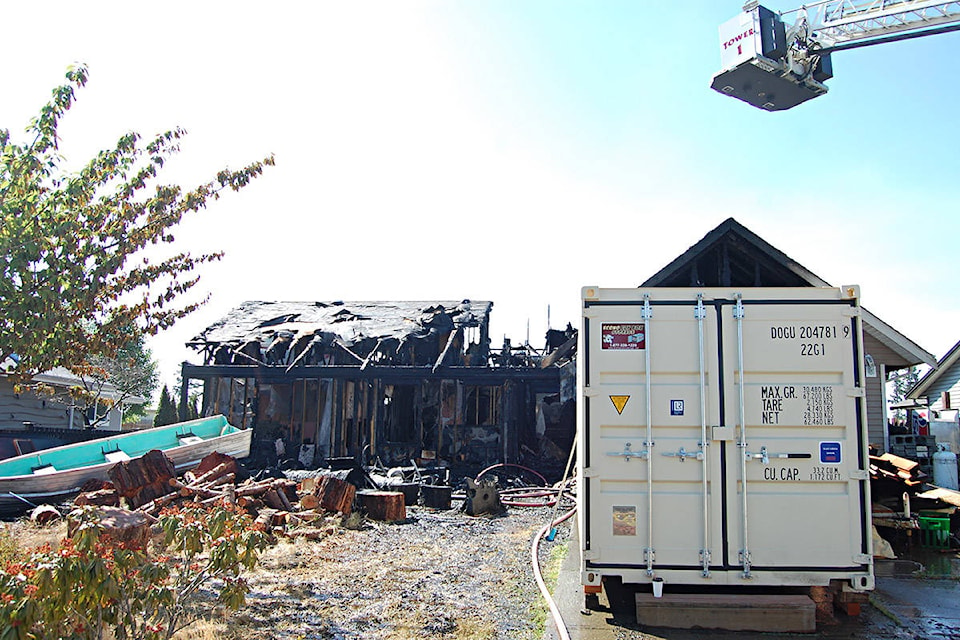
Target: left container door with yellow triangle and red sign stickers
[(651, 395)]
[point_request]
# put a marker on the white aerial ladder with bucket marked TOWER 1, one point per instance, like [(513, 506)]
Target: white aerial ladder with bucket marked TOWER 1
[(775, 61)]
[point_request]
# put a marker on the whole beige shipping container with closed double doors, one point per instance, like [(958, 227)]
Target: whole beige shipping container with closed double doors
[(724, 438)]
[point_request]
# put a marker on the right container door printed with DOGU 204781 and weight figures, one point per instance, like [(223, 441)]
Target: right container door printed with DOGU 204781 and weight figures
[(797, 437)]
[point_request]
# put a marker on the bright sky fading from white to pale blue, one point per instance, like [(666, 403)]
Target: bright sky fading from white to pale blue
[(504, 150)]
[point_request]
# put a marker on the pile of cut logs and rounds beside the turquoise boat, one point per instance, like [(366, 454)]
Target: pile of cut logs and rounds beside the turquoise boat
[(279, 506)]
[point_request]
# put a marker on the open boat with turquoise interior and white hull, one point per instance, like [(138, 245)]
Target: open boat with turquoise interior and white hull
[(52, 475)]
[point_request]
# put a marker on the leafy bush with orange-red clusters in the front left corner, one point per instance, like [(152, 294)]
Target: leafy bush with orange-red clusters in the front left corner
[(92, 582)]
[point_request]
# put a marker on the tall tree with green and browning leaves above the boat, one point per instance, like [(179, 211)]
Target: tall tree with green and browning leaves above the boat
[(73, 274)]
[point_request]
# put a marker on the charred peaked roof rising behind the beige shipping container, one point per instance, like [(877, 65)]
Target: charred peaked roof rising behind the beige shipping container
[(732, 255)]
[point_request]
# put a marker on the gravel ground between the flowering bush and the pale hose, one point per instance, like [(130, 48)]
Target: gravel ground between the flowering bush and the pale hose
[(436, 575)]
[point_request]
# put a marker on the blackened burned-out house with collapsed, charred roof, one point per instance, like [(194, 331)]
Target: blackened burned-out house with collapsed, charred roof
[(387, 381)]
